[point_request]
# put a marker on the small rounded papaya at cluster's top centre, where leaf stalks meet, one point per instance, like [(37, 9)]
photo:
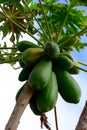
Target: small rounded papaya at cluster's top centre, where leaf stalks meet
[(52, 50)]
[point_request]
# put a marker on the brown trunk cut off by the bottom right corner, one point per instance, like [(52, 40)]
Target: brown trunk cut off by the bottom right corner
[(82, 123)]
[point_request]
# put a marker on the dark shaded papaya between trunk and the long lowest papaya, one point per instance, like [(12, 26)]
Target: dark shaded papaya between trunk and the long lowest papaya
[(33, 105)]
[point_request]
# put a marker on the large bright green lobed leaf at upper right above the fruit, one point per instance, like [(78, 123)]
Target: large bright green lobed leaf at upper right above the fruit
[(56, 13)]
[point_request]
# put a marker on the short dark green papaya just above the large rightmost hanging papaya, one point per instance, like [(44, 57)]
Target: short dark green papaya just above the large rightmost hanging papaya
[(64, 62)]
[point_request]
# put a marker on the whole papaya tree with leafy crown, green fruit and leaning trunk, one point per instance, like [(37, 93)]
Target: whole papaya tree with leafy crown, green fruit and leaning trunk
[(47, 64)]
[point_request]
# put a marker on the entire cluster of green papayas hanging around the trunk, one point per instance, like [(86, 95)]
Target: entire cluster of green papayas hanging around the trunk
[(48, 71)]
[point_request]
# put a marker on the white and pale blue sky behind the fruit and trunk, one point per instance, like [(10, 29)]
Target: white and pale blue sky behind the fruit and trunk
[(68, 114)]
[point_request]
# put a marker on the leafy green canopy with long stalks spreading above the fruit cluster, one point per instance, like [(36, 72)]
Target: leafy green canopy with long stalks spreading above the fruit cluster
[(42, 20)]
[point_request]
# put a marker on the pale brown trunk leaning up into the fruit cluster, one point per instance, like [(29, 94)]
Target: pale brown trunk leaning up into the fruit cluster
[(19, 108)]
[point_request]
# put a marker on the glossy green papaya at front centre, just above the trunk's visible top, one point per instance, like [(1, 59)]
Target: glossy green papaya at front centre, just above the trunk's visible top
[(40, 74)]
